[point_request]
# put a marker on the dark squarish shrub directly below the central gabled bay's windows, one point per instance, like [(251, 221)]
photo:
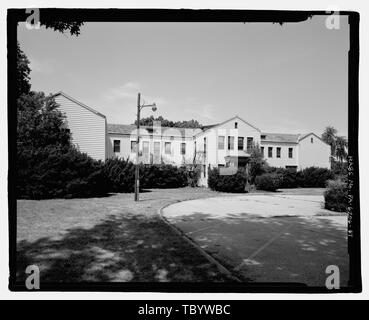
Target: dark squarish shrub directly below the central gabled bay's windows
[(227, 183)]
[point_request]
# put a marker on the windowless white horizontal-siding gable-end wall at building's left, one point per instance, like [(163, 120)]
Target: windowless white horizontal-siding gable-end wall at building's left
[(87, 128)]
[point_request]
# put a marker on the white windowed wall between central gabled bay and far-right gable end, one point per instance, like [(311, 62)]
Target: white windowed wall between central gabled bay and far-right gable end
[(284, 160)]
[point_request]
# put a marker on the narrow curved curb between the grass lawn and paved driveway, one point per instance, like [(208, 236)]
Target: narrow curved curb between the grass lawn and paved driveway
[(222, 269)]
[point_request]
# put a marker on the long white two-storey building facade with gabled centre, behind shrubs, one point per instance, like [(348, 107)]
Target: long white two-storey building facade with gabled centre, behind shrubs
[(224, 144)]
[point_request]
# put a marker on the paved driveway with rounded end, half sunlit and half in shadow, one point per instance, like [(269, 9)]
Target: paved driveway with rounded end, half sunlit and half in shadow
[(267, 238)]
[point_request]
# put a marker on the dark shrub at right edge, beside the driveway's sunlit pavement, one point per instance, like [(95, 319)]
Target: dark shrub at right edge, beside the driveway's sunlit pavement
[(336, 196)]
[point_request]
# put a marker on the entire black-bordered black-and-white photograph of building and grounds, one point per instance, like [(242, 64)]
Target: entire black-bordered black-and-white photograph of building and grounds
[(183, 151)]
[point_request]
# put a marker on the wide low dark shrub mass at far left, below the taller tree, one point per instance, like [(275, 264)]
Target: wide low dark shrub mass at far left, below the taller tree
[(58, 172)]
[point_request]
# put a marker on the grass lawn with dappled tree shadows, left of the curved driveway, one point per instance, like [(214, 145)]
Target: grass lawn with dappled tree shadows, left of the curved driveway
[(108, 239)]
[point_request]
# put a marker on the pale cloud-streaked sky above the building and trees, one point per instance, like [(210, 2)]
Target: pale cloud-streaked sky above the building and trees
[(283, 79)]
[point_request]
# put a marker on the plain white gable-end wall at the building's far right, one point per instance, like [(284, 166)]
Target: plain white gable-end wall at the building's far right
[(314, 153)]
